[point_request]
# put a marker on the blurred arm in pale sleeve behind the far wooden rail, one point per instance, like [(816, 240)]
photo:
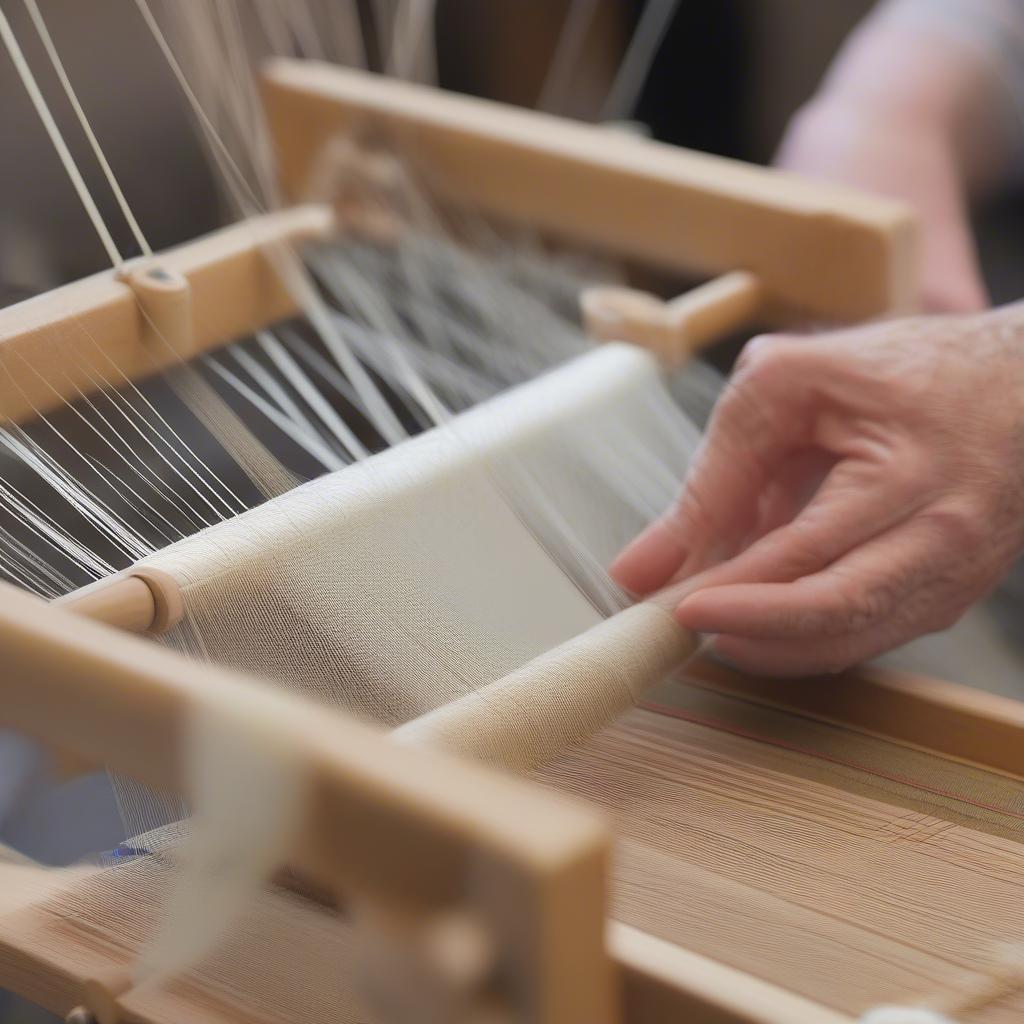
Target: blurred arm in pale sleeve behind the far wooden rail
[(924, 103)]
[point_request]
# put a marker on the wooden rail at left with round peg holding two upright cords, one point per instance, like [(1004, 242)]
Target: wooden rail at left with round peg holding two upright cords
[(127, 325)]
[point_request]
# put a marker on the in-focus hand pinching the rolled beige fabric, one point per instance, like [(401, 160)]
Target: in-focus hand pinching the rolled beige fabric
[(855, 491)]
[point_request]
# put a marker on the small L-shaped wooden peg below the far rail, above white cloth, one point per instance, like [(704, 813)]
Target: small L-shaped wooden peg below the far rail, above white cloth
[(673, 331)]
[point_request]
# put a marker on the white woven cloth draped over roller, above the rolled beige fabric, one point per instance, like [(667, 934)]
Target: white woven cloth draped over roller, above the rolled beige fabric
[(402, 583)]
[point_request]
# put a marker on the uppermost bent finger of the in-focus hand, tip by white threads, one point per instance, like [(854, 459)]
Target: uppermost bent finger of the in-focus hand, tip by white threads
[(761, 419)]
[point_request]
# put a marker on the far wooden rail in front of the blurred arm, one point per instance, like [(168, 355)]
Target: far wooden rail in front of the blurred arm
[(821, 251)]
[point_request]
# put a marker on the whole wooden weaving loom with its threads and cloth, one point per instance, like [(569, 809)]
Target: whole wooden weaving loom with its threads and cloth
[(651, 837)]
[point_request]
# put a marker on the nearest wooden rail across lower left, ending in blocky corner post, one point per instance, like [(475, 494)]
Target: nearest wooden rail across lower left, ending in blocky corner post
[(394, 829)]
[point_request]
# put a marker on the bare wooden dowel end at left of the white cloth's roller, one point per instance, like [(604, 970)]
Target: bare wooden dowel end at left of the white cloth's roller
[(143, 601)]
